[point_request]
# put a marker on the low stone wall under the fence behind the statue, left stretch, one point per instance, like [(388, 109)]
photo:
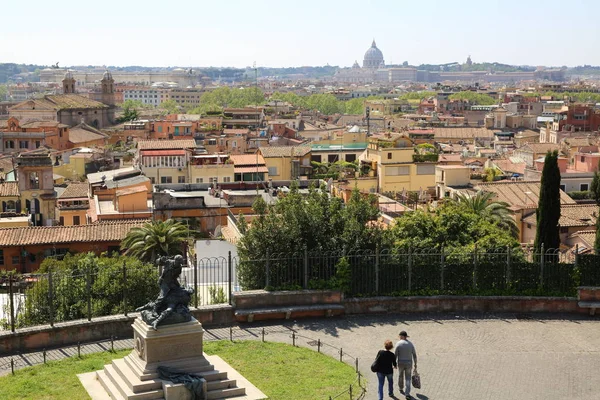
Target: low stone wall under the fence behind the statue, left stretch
[(69, 333)]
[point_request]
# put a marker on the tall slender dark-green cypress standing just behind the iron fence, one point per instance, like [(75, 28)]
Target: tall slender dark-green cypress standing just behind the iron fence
[(548, 211)]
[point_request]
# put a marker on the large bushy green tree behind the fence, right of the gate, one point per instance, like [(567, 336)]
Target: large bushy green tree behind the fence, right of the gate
[(313, 221)]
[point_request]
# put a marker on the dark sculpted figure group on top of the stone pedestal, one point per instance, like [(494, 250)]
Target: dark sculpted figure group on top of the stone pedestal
[(172, 304)]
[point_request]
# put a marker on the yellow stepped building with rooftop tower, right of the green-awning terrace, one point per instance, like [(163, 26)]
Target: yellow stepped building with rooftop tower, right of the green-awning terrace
[(392, 159)]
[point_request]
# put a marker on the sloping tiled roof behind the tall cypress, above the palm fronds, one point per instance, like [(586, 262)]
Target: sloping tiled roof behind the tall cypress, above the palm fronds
[(519, 194)]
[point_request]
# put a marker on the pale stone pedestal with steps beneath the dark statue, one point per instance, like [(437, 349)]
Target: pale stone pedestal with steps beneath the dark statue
[(178, 346)]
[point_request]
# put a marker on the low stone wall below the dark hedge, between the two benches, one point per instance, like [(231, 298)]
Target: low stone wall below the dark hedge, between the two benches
[(441, 304)]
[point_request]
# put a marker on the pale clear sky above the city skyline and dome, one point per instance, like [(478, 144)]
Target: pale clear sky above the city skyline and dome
[(236, 33)]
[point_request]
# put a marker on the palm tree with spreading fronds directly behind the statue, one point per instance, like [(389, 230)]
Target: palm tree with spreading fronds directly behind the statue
[(154, 239)]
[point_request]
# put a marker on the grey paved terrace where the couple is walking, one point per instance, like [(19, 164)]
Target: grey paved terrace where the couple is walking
[(462, 356)]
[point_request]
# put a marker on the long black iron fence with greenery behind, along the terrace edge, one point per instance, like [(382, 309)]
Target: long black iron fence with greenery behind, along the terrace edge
[(87, 293)]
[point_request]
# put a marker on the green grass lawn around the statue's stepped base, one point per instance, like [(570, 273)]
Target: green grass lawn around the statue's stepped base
[(279, 370)]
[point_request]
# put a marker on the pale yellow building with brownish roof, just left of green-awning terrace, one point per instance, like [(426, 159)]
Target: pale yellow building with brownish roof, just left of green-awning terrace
[(287, 162)]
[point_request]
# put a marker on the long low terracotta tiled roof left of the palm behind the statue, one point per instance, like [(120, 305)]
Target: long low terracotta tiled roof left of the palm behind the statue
[(37, 235)]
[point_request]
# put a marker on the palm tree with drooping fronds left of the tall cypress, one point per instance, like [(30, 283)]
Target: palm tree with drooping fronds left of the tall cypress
[(484, 205)]
